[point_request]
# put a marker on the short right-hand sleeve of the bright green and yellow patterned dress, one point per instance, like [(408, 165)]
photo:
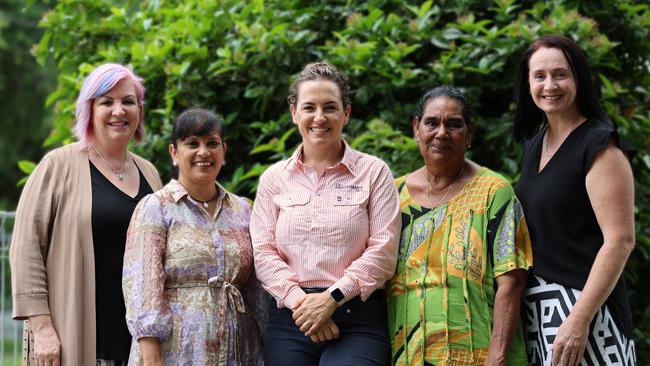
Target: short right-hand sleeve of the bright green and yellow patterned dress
[(510, 240)]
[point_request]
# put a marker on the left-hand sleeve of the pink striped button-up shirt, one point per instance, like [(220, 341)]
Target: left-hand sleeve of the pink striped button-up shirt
[(271, 269)]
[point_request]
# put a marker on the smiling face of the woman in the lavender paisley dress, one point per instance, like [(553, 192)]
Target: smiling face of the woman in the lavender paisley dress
[(199, 159)]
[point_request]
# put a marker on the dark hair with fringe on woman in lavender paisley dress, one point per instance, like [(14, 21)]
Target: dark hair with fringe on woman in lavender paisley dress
[(195, 122)]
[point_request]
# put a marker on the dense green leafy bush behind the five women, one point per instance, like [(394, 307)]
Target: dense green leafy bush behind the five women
[(238, 57)]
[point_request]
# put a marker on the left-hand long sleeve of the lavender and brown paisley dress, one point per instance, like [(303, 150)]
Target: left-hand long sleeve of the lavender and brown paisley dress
[(148, 313)]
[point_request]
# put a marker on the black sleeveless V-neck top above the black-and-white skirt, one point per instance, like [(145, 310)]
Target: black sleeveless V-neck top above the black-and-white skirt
[(564, 231)]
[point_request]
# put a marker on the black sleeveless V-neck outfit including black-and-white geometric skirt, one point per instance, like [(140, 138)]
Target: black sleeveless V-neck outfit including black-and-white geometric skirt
[(566, 238)]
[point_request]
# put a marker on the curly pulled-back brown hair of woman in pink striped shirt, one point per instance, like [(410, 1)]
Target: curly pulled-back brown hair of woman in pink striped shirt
[(321, 71)]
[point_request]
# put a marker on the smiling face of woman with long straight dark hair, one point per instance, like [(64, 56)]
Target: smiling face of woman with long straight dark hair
[(552, 85)]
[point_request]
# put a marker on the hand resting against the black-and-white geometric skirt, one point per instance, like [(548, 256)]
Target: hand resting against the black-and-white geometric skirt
[(570, 342)]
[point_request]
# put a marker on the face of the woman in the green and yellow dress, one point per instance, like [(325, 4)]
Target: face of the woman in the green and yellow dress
[(442, 133)]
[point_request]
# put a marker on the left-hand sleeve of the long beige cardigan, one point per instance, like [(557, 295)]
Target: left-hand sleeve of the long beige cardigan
[(30, 241)]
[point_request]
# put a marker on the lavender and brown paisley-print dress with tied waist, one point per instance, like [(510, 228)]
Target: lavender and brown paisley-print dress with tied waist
[(189, 281)]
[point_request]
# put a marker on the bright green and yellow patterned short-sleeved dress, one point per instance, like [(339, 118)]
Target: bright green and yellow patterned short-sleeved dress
[(442, 295)]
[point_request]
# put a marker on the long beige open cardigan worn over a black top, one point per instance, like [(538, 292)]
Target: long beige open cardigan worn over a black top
[(51, 254)]
